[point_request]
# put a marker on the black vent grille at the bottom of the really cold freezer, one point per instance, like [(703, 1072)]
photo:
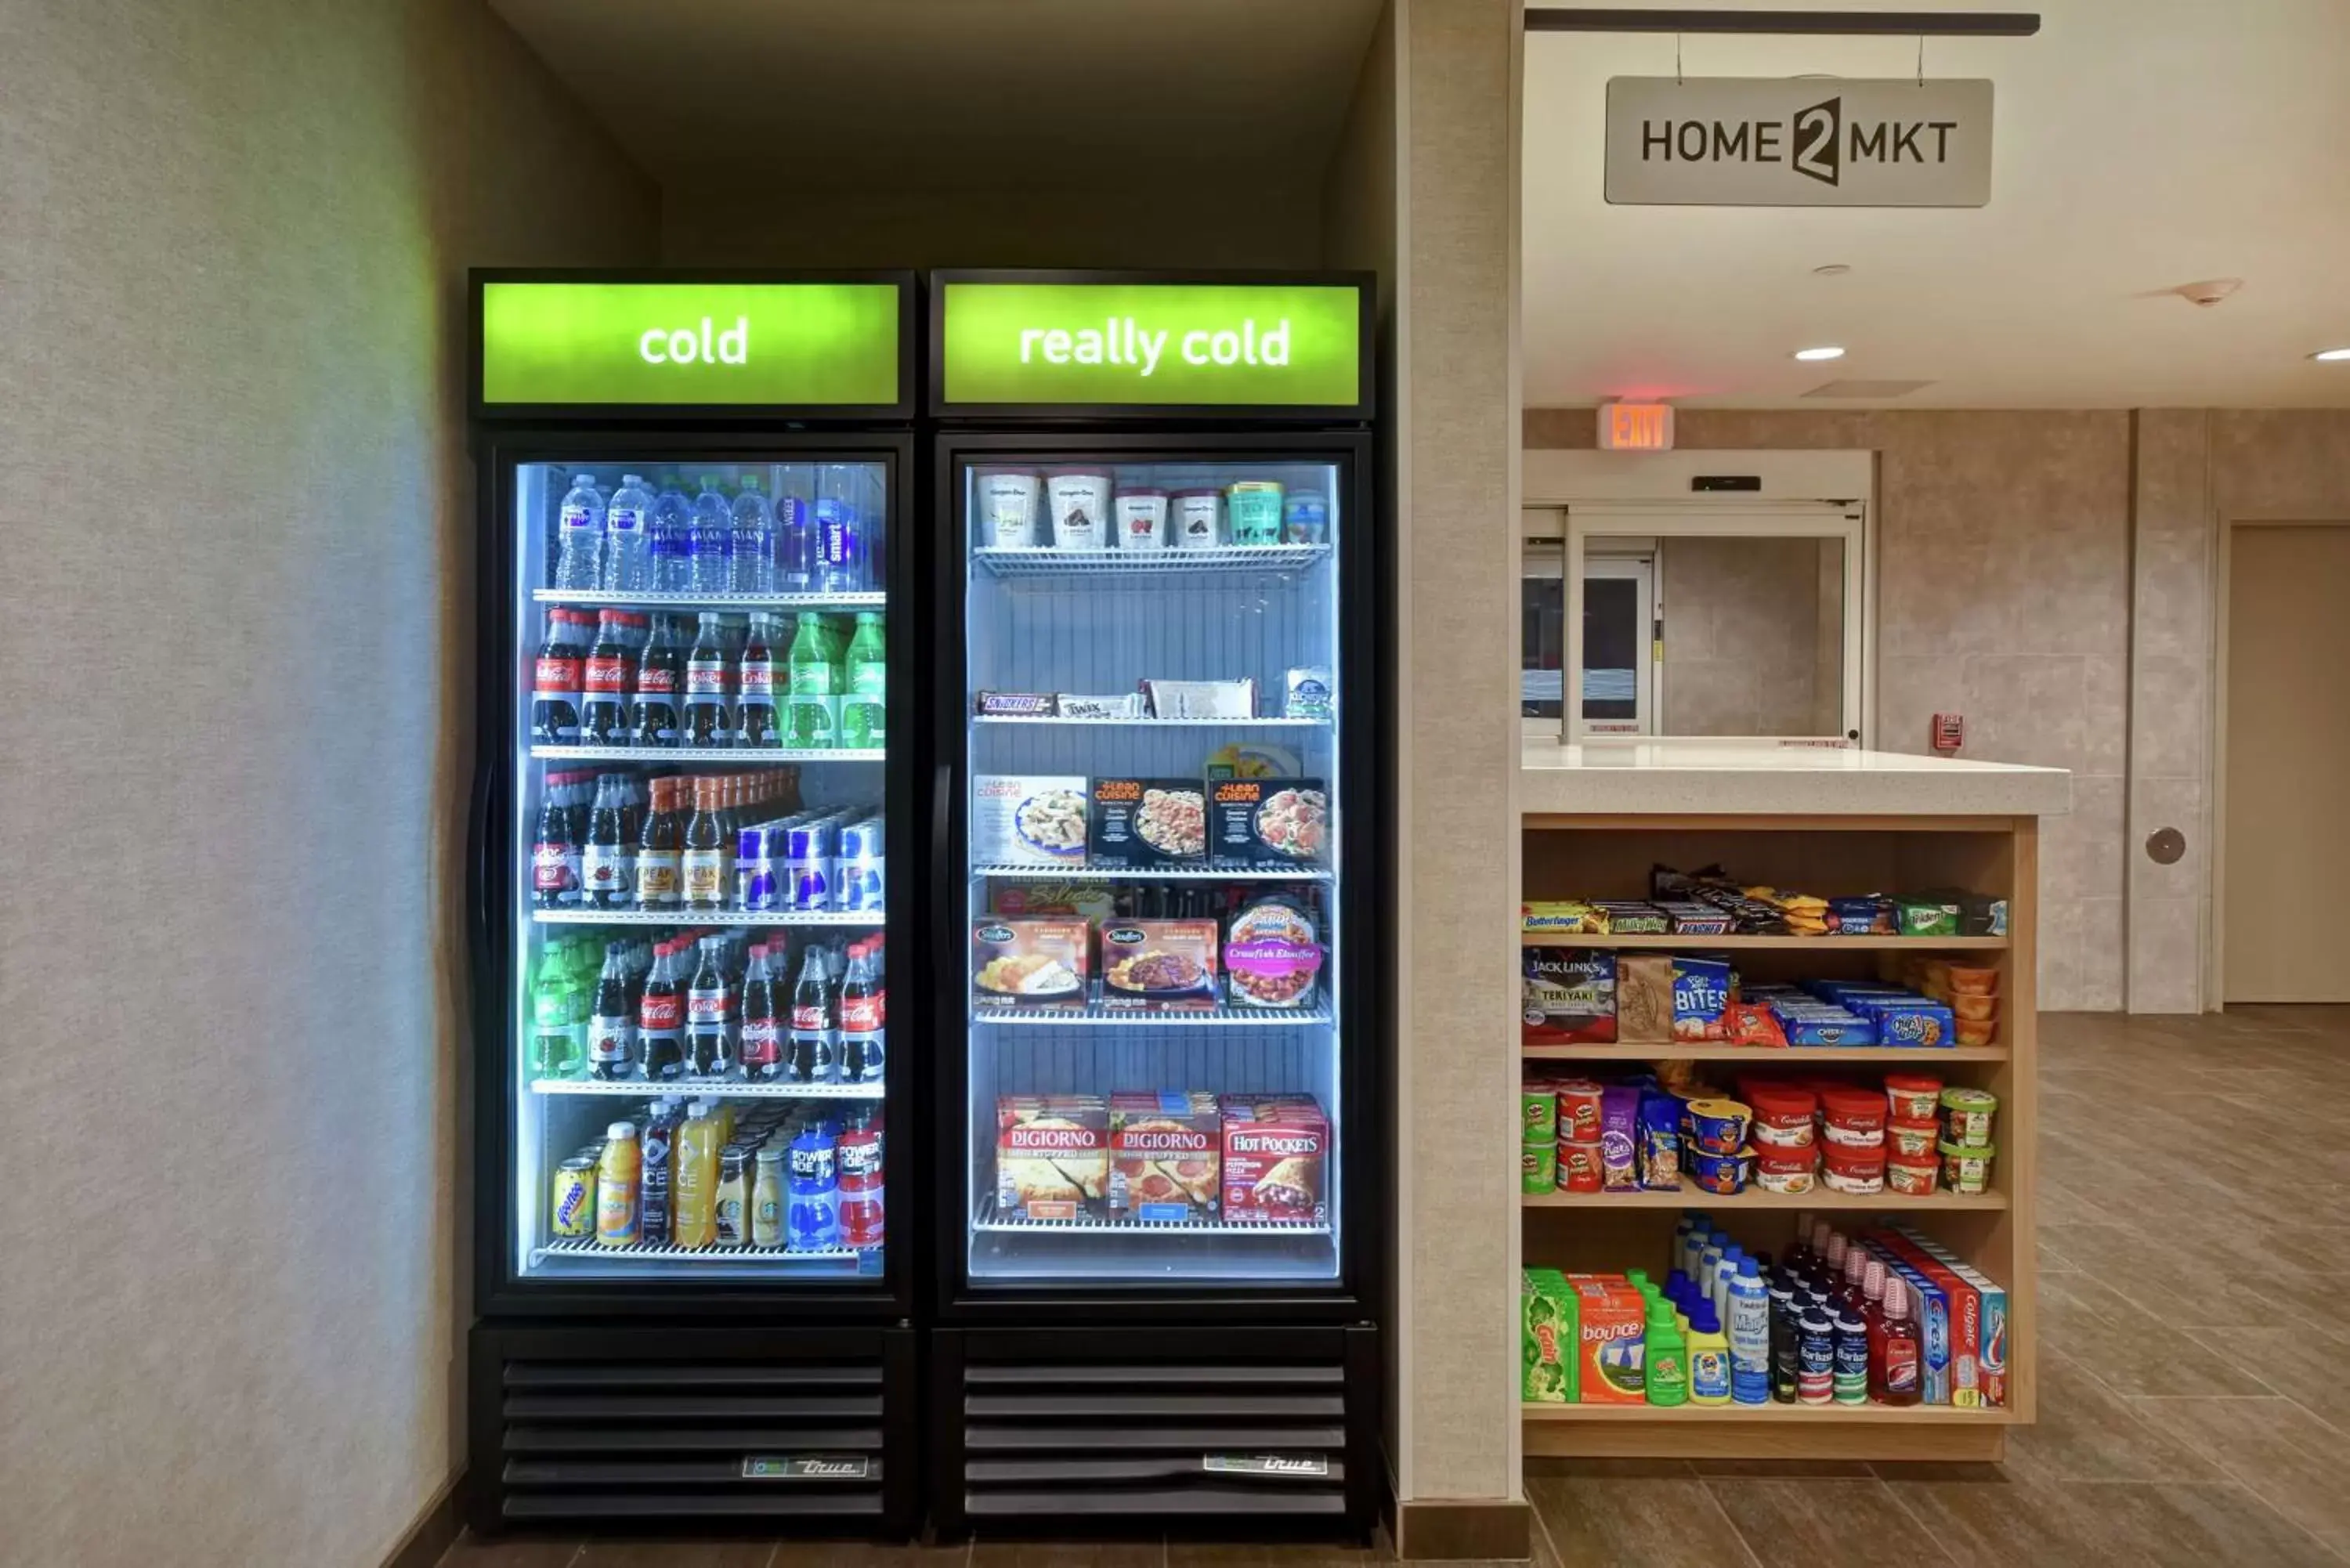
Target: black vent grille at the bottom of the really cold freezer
[(1171, 1440)]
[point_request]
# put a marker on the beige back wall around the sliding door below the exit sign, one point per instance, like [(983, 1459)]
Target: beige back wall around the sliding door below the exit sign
[(2003, 594)]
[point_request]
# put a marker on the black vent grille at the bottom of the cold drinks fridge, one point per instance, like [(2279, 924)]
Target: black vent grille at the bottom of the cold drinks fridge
[(680, 1440)]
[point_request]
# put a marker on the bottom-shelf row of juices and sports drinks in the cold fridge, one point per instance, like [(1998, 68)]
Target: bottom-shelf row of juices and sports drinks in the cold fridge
[(704, 1179)]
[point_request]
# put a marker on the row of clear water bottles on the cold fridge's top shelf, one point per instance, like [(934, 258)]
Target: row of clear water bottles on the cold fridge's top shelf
[(821, 532)]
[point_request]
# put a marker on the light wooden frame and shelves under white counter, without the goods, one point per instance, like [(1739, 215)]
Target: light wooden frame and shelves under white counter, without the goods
[(1611, 857)]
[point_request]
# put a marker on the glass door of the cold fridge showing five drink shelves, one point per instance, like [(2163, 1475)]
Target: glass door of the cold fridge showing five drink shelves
[(699, 871)]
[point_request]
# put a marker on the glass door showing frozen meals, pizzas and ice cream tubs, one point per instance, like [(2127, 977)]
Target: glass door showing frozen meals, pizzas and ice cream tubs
[(1155, 953)]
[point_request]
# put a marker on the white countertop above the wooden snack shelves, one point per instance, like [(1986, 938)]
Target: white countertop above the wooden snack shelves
[(1733, 779)]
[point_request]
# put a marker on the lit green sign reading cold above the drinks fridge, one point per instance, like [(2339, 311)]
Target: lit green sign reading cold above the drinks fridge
[(690, 344)]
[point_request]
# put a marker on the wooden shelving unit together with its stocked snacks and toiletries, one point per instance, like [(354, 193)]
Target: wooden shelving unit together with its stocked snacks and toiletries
[(1773, 1024)]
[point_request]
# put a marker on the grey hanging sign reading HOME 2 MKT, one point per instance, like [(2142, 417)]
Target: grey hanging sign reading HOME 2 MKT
[(1799, 142)]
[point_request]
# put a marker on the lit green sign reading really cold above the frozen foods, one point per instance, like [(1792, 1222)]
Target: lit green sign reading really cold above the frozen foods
[(1153, 344)]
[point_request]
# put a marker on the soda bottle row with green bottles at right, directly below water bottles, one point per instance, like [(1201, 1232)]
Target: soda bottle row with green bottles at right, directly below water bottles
[(631, 678)]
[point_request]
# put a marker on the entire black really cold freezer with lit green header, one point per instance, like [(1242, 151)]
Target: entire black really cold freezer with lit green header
[(1157, 930)]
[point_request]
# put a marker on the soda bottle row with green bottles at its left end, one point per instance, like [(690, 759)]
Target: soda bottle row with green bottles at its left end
[(704, 1005)]
